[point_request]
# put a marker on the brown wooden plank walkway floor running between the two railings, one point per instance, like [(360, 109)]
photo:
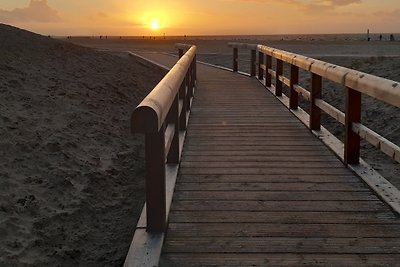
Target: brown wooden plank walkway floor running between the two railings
[(256, 188)]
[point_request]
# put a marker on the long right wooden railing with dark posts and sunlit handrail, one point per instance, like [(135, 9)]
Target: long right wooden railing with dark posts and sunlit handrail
[(356, 83)]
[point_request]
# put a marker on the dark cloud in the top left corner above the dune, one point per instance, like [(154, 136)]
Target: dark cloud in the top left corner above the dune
[(37, 11)]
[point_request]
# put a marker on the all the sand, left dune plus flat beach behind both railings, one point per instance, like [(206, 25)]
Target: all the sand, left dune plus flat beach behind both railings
[(71, 185)]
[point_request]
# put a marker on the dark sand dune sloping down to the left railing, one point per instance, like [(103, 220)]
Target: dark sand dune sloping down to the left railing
[(71, 173)]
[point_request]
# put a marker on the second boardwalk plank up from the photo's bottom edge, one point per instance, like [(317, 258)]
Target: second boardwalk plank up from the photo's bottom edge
[(283, 245)]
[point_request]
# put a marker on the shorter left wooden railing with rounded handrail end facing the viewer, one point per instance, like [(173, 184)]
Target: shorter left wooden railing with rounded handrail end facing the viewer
[(162, 116)]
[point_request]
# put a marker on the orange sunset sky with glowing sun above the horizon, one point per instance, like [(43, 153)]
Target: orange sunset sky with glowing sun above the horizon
[(201, 17)]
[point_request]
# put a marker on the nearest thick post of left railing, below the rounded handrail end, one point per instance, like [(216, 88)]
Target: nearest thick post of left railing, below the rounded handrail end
[(155, 181)]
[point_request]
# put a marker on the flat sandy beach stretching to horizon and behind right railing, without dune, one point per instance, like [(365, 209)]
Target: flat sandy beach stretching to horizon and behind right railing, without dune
[(381, 58)]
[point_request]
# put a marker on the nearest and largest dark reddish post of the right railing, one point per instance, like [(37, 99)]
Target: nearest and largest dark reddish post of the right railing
[(353, 115)]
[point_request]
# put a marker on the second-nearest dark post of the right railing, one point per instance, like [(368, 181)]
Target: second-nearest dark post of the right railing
[(315, 112)]
